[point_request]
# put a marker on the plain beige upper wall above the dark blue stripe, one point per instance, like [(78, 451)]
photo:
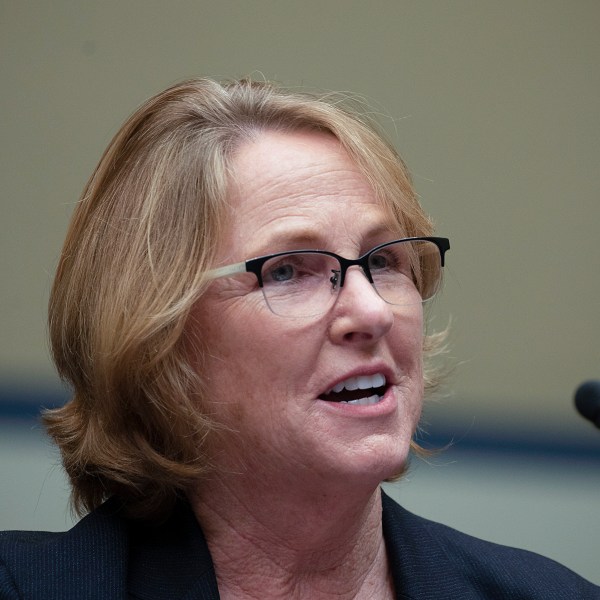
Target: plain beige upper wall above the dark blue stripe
[(495, 108)]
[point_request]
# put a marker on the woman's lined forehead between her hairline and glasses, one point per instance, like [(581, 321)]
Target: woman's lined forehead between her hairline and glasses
[(298, 188)]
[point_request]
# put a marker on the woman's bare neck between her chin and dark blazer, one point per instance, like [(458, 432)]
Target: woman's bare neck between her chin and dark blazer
[(293, 542)]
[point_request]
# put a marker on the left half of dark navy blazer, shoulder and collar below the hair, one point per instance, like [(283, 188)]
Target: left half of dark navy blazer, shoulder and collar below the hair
[(107, 555)]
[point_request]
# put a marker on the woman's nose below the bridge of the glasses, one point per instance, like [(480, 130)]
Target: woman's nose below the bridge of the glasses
[(360, 315)]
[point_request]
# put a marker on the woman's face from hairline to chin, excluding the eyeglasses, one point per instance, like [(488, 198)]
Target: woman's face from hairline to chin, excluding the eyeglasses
[(267, 375)]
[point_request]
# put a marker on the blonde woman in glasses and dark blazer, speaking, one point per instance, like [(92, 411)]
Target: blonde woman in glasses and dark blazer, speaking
[(239, 310)]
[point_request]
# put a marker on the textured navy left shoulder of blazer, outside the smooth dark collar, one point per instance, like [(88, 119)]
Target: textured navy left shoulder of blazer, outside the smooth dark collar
[(83, 562)]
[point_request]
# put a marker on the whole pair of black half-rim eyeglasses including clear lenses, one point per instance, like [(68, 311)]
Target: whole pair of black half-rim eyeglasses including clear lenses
[(305, 283)]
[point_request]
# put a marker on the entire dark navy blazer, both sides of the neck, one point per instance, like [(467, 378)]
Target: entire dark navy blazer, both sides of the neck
[(107, 556)]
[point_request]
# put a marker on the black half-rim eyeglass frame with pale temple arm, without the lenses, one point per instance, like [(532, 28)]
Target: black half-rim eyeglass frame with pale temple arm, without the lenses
[(254, 265)]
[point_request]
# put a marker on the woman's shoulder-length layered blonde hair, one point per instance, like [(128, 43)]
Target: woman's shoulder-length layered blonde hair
[(142, 236)]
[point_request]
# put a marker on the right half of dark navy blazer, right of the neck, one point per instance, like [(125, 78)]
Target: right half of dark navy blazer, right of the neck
[(468, 567)]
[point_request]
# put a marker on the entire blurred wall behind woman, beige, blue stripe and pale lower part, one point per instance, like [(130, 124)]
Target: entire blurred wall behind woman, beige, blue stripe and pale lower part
[(494, 106)]
